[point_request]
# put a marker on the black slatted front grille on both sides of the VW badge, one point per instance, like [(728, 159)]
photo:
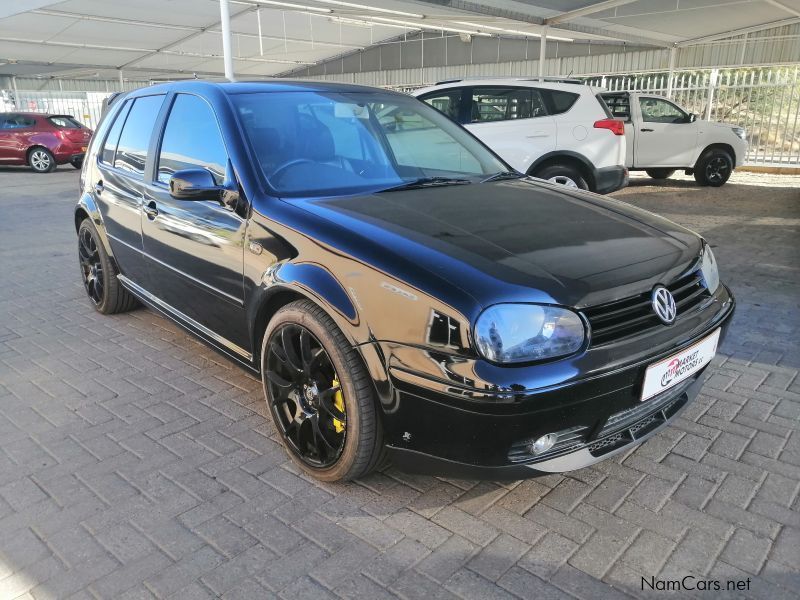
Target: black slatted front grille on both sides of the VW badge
[(623, 318)]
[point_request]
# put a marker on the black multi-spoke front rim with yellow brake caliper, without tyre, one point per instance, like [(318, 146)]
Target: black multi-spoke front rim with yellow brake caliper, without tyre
[(305, 396)]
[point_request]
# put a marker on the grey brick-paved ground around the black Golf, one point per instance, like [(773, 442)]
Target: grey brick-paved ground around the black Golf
[(136, 463)]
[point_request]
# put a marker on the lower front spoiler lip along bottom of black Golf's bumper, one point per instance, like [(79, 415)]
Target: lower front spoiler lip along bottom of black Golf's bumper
[(605, 446)]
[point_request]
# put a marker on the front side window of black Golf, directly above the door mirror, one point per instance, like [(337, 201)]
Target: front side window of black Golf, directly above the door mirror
[(192, 140)]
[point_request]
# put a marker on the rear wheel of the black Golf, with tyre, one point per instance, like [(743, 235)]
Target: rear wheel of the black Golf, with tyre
[(99, 274)]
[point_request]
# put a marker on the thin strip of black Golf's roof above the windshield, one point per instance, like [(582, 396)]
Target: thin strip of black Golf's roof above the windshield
[(267, 85)]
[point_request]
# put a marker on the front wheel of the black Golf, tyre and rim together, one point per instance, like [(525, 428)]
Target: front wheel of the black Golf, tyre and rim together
[(362, 449)]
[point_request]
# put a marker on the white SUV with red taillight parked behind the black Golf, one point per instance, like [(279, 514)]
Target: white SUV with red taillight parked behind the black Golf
[(560, 130)]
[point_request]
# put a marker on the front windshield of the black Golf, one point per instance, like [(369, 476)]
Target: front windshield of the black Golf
[(339, 143)]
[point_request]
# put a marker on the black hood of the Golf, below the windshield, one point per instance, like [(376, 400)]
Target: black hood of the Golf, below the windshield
[(577, 248)]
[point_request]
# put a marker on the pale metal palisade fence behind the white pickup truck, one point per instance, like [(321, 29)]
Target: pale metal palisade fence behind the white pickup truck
[(765, 101)]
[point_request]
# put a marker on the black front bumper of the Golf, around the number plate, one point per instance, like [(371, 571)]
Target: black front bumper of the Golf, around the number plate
[(430, 431)]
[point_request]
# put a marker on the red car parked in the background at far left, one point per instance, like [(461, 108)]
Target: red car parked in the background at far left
[(42, 141)]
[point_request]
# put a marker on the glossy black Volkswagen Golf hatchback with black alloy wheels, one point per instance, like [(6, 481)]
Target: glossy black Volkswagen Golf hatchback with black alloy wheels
[(403, 294)]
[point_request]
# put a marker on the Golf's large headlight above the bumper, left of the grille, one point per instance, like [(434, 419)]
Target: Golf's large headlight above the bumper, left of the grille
[(513, 333)]
